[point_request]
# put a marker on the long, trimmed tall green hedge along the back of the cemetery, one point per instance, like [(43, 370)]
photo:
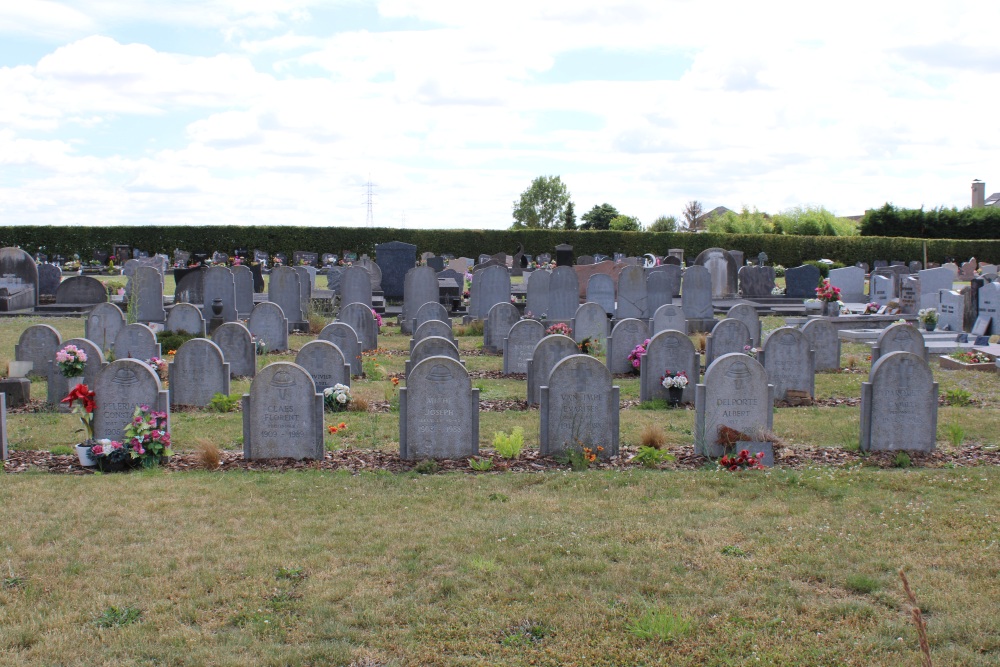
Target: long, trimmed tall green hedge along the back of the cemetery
[(780, 249)]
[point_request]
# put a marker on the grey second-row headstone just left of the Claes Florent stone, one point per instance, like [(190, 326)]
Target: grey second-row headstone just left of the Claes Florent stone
[(198, 372)]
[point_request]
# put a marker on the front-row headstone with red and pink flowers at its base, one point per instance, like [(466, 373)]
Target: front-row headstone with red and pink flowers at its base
[(121, 387)]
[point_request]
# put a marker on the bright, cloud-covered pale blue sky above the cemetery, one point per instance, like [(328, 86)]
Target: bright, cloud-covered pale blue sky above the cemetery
[(284, 111)]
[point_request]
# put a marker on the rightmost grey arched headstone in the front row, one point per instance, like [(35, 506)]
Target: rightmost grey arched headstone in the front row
[(899, 405)]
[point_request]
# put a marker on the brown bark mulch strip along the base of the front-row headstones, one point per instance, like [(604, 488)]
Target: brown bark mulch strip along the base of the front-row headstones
[(361, 460)]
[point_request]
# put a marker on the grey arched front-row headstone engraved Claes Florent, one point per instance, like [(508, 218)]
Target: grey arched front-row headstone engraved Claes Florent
[(282, 415)]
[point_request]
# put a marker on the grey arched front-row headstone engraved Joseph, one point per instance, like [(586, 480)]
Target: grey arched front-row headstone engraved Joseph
[(438, 412)]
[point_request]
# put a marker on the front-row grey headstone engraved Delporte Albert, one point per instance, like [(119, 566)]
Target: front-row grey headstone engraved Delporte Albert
[(734, 394)]
